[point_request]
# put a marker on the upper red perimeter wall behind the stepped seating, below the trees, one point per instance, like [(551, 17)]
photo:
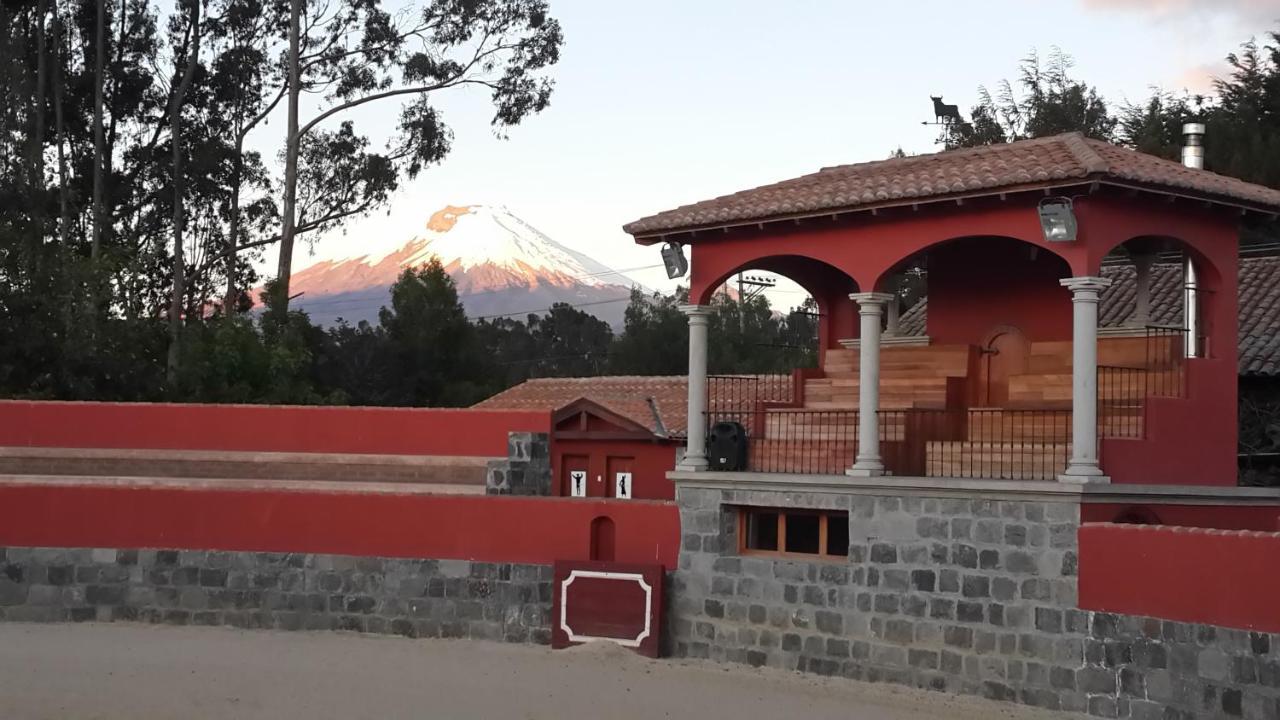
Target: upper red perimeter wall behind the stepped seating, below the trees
[(264, 429)]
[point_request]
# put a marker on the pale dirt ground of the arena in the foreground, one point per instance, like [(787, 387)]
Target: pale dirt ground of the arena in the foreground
[(143, 672)]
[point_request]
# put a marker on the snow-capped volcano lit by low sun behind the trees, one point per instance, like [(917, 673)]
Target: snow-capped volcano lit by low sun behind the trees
[(500, 265)]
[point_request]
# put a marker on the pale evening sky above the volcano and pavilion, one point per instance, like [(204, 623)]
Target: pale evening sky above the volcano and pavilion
[(664, 103)]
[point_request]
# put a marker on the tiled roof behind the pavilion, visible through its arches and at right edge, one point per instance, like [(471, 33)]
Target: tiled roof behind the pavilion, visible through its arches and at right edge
[(1259, 308)]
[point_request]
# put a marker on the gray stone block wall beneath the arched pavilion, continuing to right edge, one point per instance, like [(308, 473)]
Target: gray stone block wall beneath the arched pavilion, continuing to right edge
[(957, 595)]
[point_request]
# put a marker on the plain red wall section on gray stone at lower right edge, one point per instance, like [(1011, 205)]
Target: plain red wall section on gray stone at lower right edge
[(1196, 576)]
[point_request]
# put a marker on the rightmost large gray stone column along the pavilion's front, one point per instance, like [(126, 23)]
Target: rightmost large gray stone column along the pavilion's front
[(1084, 467)]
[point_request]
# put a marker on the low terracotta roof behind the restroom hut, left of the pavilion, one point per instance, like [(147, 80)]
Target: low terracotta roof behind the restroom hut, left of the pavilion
[(625, 395)]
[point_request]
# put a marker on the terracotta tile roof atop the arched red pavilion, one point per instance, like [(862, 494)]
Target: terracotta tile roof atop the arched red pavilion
[(1025, 165)]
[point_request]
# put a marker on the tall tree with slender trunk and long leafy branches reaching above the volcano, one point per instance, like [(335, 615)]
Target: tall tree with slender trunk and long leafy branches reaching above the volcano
[(362, 54)]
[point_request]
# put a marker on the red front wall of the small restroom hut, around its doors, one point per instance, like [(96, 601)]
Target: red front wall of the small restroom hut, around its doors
[(652, 462)]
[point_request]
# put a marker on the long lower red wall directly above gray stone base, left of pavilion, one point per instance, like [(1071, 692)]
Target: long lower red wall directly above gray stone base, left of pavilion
[(491, 530)]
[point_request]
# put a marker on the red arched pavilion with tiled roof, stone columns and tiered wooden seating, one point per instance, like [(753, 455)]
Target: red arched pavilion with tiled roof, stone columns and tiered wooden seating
[(1007, 376)]
